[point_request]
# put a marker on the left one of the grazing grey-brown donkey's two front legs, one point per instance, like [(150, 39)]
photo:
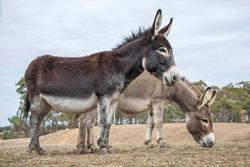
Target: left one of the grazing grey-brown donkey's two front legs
[(150, 127)]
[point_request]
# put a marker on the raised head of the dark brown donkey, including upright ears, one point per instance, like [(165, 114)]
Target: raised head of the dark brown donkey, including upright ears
[(158, 58)]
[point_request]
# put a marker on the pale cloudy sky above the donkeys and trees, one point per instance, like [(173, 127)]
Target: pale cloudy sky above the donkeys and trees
[(210, 39)]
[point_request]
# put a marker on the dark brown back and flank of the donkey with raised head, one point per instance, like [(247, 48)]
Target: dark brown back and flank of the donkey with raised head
[(76, 77)]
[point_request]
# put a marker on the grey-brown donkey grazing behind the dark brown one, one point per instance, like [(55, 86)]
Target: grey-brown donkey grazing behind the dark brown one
[(147, 93)]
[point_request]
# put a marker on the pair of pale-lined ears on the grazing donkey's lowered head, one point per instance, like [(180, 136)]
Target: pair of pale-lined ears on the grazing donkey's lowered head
[(208, 97)]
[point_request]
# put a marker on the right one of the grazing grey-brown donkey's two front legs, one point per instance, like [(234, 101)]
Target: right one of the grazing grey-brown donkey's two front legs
[(158, 109)]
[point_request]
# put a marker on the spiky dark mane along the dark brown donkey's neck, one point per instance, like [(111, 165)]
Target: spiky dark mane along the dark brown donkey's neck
[(134, 35)]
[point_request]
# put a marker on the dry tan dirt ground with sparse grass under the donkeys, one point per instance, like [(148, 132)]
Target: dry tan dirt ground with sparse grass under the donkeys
[(232, 148)]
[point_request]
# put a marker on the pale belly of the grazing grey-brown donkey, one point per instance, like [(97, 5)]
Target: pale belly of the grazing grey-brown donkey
[(133, 105)]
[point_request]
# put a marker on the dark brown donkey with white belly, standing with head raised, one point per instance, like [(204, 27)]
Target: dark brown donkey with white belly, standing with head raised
[(76, 84)]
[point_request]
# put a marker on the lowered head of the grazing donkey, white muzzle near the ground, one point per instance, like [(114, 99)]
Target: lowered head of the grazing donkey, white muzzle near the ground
[(200, 122)]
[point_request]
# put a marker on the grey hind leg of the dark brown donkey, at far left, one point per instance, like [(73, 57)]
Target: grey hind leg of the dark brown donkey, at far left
[(39, 109)]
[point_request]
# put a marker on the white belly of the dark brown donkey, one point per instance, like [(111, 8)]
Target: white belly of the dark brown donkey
[(70, 105)]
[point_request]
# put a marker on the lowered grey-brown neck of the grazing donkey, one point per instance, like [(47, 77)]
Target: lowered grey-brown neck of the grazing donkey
[(184, 96)]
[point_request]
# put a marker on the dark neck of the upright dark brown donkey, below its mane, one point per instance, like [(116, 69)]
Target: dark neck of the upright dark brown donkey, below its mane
[(131, 55)]
